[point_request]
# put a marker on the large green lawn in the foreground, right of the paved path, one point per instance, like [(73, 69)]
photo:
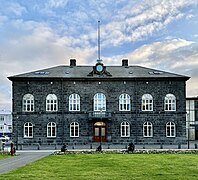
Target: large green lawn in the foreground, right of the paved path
[(110, 166)]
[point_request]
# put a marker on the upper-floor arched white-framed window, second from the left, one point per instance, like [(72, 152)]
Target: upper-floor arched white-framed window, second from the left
[(51, 102)]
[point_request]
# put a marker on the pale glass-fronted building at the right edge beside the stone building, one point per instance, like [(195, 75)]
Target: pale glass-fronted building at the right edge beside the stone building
[(192, 118)]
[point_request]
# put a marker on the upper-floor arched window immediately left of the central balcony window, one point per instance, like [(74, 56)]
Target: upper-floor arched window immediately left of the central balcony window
[(74, 102)]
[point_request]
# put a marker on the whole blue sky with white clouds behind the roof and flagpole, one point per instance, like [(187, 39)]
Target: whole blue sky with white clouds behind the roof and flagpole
[(36, 34)]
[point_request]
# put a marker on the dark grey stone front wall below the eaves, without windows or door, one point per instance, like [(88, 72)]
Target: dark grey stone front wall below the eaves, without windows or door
[(112, 88)]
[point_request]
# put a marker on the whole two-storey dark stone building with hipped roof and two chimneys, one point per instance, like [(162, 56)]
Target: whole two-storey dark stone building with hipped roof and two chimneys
[(86, 104)]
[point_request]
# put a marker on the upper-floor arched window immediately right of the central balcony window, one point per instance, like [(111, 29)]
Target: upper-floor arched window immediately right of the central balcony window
[(124, 102)]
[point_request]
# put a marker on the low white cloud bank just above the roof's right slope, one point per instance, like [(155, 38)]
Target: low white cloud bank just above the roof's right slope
[(172, 55)]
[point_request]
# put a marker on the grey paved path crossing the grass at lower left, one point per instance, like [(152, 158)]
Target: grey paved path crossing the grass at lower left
[(22, 158)]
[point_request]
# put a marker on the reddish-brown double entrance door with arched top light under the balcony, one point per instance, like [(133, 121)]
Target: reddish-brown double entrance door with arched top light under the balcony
[(99, 133)]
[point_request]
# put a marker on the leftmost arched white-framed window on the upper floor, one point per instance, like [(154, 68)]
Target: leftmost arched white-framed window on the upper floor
[(28, 103)]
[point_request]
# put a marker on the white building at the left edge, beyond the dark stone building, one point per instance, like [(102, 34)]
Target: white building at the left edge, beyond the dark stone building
[(5, 123)]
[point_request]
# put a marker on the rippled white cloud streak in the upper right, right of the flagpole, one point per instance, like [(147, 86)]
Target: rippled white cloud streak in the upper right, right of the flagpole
[(137, 22)]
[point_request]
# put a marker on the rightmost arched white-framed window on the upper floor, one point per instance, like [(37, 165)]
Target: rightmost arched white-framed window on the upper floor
[(170, 102)]
